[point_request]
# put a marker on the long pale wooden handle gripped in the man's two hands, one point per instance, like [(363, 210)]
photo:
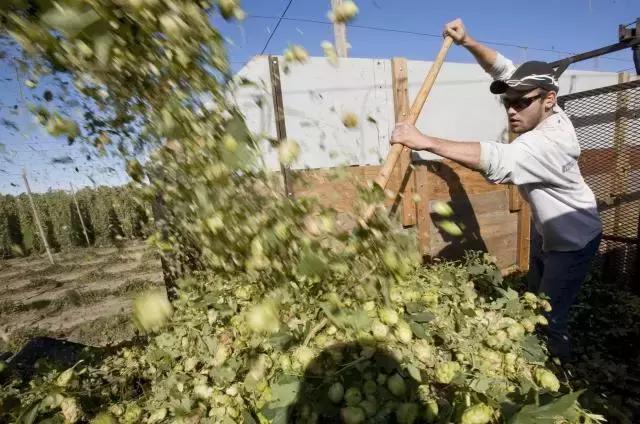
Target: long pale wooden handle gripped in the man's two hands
[(392, 157)]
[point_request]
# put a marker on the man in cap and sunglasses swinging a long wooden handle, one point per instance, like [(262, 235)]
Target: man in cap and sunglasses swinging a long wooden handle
[(542, 162)]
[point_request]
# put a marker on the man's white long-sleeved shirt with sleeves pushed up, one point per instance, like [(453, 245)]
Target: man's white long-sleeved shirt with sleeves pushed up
[(543, 163)]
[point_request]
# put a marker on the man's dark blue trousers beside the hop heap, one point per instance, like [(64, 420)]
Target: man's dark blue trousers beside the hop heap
[(559, 275)]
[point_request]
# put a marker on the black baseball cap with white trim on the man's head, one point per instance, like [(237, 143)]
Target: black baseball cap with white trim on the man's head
[(528, 76)]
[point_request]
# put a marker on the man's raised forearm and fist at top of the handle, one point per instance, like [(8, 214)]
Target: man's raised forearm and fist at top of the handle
[(490, 60)]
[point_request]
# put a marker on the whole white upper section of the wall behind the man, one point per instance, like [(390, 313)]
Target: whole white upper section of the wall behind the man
[(317, 94)]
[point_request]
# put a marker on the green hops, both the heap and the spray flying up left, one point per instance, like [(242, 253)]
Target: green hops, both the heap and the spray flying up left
[(282, 316)]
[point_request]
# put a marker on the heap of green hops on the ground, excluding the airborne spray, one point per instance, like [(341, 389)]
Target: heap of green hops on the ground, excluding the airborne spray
[(426, 347)]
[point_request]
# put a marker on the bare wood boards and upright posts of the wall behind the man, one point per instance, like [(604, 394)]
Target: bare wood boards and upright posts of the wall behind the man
[(493, 217)]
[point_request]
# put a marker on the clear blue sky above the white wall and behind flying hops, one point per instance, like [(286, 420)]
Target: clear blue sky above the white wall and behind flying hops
[(522, 30)]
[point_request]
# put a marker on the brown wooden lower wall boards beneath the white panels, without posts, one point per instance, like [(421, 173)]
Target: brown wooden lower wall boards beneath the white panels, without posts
[(474, 199)]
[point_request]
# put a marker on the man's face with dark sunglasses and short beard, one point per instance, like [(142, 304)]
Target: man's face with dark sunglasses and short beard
[(526, 110)]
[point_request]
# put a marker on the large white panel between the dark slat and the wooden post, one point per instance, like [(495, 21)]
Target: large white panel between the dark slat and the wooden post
[(316, 96)]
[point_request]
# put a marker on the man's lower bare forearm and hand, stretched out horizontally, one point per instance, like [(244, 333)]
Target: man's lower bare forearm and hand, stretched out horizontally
[(465, 153)]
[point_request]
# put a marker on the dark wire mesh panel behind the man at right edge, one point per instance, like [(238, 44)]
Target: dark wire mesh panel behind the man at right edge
[(607, 122)]
